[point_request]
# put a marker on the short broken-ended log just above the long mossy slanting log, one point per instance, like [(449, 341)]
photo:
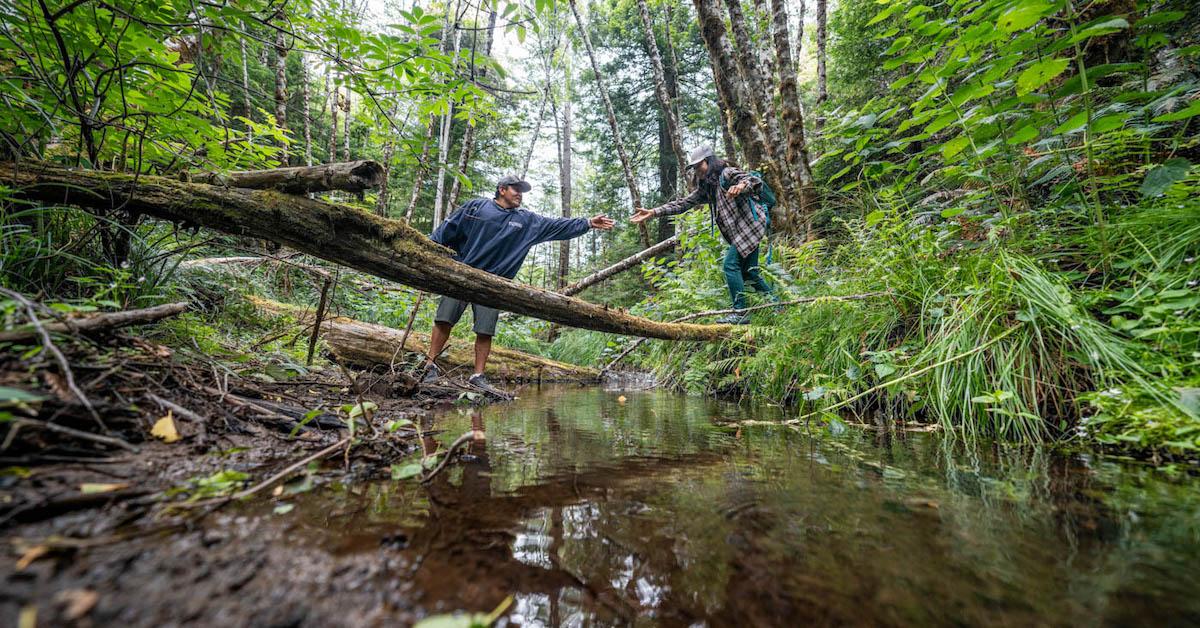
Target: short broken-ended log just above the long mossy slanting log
[(350, 177)]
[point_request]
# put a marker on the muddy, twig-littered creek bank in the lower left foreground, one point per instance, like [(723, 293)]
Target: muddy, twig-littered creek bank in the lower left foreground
[(167, 531)]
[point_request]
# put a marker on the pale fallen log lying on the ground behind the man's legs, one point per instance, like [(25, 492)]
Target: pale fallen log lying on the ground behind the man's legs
[(367, 344)]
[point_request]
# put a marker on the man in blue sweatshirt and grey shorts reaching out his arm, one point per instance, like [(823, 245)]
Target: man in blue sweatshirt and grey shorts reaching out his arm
[(495, 236)]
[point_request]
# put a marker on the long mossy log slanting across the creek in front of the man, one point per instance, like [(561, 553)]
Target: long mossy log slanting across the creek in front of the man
[(343, 235)]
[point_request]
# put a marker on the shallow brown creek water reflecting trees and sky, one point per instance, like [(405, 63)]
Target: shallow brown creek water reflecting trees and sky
[(591, 510)]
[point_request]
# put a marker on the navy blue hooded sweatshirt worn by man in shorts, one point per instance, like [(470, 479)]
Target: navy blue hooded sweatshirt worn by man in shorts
[(495, 240)]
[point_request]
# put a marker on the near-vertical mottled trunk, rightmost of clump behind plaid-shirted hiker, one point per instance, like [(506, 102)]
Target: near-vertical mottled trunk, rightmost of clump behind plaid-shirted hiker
[(797, 158)]
